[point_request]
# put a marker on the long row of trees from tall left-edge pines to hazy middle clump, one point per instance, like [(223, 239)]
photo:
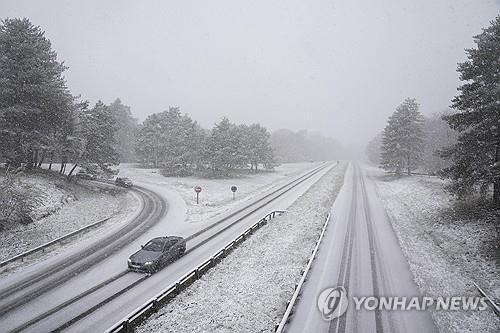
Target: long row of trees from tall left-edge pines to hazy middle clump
[(42, 122)]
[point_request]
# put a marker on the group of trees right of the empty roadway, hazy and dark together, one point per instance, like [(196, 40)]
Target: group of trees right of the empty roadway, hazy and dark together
[(461, 145)]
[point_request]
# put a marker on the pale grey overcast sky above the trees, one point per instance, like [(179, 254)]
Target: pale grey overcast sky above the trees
[(339, 67)]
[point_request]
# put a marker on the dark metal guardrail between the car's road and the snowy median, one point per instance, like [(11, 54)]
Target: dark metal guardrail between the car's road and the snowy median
[(137, 316)]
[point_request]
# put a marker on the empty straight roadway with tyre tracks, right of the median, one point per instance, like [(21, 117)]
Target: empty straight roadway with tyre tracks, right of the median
[(360, 252)]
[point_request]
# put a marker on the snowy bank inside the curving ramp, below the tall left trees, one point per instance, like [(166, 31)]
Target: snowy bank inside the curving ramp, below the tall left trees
[(65, 208)]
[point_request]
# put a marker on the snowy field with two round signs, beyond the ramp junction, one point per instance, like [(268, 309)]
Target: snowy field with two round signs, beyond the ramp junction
[(216, 196)]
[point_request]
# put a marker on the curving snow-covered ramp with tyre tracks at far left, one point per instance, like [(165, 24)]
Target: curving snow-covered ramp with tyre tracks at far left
[(27, 293)]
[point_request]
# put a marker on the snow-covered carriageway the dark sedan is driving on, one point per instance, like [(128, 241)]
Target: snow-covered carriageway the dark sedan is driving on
[(172, 223)]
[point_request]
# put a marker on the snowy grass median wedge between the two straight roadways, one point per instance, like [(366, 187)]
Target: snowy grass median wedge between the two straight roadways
[(248, 290)]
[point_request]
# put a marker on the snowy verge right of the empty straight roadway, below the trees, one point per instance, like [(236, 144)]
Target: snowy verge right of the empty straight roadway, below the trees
[(445, 255)]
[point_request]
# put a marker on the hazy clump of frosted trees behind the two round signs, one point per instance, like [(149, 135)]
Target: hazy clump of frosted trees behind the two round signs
[(180, 146)]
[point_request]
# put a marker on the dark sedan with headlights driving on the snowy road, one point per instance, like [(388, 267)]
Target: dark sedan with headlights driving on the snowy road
[(157, 253)]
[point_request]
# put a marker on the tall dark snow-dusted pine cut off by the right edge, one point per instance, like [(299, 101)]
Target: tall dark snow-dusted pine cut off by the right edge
[(475, 158)]
